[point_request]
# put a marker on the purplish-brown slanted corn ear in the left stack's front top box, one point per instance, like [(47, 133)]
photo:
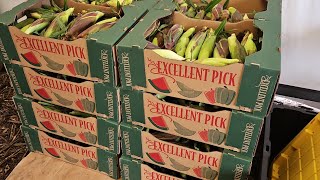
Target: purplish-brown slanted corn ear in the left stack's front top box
[(83, 22)]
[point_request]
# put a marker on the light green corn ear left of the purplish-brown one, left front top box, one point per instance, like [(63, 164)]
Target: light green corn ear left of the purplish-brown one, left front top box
[(60, 20)]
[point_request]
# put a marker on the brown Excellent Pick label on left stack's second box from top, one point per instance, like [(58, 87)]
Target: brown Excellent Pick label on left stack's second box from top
[(79, 96)]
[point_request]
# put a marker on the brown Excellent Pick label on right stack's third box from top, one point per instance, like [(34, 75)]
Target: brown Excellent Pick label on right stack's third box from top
[(191, 162)]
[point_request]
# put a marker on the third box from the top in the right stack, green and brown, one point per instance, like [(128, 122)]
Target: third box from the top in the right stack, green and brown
[(142, 145)]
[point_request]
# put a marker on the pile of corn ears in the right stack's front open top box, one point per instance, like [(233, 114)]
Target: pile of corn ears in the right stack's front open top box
[(207, 46)]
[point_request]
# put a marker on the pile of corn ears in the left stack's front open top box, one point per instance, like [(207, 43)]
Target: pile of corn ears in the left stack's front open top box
[(53, 22)]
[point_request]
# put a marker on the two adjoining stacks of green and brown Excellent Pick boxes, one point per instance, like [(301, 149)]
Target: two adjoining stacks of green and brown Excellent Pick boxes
[(77, 113)]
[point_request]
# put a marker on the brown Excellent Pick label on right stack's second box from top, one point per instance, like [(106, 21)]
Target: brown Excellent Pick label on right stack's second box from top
[(203, 126)]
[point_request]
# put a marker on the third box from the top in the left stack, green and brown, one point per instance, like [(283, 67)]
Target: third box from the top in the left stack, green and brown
[(90, 130)]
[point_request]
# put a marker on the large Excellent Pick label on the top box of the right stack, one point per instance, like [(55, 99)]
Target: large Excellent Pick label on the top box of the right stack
[(202, 83)]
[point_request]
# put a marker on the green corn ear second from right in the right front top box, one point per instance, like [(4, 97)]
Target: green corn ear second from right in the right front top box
[(237, 51)]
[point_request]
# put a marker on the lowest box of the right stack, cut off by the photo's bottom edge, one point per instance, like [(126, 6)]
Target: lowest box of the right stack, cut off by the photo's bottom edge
[(135, 169)]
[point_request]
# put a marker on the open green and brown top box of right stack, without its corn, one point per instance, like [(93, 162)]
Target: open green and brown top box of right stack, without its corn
[(253, 82)]
